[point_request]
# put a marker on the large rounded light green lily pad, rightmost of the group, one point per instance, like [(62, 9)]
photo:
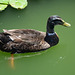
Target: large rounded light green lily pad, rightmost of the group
[(18, 4)]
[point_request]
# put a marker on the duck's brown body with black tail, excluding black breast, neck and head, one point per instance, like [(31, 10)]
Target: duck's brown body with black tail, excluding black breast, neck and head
[(23, 40)]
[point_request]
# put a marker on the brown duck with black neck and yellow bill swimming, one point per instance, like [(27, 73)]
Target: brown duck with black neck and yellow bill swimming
[(30, 40)]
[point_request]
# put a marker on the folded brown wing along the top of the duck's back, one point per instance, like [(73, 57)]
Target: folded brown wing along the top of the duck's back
[(27, 35)]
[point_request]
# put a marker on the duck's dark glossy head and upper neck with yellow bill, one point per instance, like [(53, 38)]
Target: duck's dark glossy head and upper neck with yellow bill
[(55, 20)]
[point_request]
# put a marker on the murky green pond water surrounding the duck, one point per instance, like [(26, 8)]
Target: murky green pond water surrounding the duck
[(57, 60)]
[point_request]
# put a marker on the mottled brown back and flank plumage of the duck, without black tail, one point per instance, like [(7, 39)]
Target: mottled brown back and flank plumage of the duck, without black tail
[(27, 40)]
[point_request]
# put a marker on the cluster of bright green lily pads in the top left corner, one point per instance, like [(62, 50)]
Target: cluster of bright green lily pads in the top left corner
[(18, 4)]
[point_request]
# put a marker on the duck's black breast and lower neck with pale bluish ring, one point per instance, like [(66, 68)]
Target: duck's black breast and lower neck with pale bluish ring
[(51, 37)]
